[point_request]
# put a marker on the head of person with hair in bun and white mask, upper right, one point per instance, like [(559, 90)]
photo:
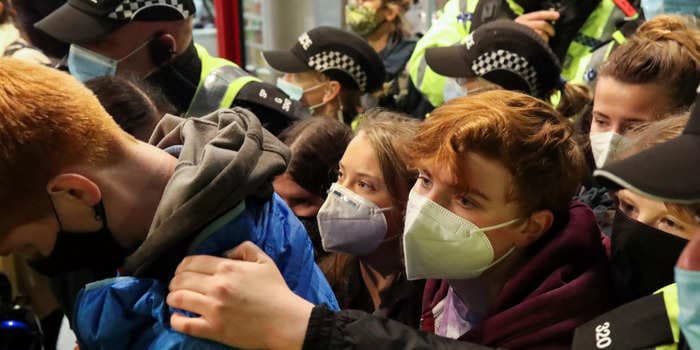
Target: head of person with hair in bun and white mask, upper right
[(654, 74)]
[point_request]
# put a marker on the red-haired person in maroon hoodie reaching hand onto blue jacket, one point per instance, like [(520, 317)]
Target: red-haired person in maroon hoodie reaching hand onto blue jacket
[(503, 249)]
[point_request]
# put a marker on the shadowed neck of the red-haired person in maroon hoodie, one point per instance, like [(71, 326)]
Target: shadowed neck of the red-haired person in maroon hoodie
[(479, 294)]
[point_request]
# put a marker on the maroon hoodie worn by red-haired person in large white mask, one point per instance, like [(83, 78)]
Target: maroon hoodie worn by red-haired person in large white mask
[(563, 283)]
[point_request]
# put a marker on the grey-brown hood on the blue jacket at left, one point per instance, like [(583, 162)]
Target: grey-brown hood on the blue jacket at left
[(225, 157)]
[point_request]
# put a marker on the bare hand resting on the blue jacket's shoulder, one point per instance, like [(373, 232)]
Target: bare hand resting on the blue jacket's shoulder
[(243, 302)]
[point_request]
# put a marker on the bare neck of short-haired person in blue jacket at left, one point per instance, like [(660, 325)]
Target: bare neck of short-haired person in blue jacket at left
[(132, 190)]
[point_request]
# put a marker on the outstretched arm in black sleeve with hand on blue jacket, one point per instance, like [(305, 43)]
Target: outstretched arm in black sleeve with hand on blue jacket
[(245, 303)]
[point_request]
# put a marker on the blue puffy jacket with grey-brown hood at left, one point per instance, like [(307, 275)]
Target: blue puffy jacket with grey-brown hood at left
[(220, 194)]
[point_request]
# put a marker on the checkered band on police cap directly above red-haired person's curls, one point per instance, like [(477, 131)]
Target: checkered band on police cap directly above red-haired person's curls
[(508, 61)]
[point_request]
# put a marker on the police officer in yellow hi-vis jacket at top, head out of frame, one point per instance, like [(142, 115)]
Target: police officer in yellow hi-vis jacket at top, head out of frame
[(574, 29)]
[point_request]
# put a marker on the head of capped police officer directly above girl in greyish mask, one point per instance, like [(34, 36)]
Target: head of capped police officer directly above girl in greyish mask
[(328, 69)]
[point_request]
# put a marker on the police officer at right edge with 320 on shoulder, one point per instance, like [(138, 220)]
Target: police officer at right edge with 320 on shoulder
[(655, 321)]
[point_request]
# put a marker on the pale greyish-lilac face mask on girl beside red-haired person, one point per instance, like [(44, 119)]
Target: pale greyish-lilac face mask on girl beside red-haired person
[(349, 223)]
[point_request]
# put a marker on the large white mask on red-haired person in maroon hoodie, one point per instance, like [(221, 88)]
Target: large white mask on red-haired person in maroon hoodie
[(440, 244)]
